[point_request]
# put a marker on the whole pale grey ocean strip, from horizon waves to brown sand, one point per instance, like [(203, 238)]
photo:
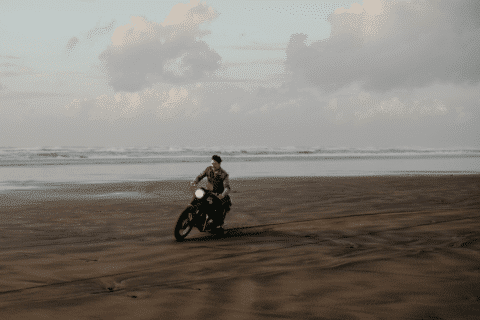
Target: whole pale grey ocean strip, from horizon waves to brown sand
[(29, 168)]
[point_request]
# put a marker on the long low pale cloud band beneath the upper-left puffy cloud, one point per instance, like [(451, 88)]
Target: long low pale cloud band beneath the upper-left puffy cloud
[(167, 102)]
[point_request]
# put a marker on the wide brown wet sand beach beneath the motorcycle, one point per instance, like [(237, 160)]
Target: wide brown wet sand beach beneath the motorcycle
[(295, 248)]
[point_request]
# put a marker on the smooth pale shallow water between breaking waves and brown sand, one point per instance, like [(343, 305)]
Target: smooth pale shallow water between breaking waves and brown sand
[(55, 175)]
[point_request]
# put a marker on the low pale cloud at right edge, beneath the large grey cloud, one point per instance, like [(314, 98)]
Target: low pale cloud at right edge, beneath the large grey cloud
[(424, 106)]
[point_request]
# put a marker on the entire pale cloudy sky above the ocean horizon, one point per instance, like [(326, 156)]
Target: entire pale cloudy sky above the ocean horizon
[(371, 73)]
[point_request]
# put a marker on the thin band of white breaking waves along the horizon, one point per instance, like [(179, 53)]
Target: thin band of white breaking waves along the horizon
[(248, 153)]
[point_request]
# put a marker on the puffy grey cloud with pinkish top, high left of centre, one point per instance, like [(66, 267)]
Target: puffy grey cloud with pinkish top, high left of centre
[(143, 52)]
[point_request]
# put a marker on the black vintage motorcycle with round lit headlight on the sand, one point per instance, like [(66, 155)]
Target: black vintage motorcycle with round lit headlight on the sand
[(198, 214)]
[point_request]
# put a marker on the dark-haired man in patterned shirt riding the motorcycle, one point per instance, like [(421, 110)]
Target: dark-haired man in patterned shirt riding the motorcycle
[(218, 183)]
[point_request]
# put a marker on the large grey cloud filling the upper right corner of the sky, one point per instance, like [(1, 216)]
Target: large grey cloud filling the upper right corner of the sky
[(385, 45)]
